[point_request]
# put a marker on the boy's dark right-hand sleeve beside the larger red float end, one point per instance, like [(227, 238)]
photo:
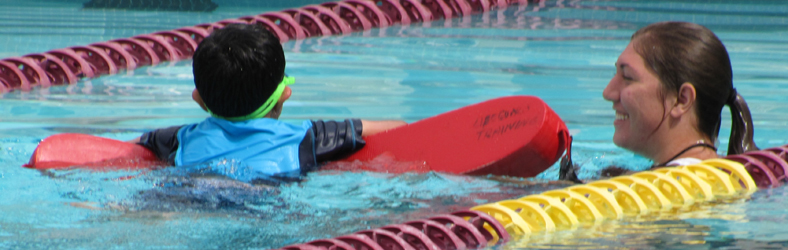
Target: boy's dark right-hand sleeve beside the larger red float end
[(334, 140)]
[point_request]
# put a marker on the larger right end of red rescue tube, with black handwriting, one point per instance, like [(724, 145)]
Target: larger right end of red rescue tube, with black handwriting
[(514, 136)]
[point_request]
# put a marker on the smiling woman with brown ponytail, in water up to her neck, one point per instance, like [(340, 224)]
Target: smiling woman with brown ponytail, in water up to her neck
[(671, 83)]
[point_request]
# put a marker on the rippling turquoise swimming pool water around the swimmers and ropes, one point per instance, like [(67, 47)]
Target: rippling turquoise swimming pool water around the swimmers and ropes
[(561, 51)]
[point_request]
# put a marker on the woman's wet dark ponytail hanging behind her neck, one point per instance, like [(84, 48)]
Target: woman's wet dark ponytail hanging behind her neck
[(741, 125)]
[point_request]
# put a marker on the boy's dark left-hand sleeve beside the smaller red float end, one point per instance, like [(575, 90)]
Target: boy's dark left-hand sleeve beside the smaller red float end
[(163, 142)]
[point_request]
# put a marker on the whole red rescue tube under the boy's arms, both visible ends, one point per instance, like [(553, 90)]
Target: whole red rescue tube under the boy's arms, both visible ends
[(515, 136)]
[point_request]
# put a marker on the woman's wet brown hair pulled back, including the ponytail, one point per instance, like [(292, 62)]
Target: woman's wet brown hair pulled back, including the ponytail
[(680, 52)]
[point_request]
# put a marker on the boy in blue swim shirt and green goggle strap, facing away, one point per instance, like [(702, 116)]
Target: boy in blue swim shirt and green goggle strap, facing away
[(239, 79)]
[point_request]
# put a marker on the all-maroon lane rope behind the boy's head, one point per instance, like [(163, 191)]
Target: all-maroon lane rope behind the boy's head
[(69, 65)]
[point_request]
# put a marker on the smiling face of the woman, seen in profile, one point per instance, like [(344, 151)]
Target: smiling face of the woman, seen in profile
[(640, 108)]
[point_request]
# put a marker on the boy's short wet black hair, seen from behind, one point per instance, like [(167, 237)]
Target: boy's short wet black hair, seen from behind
[(237, 68)]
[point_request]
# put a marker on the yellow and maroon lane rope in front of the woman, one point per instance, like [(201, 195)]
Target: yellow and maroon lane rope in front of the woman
[(657, 191)]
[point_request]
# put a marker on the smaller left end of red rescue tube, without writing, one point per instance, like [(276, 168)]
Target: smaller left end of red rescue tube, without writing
[(90, 152)]
